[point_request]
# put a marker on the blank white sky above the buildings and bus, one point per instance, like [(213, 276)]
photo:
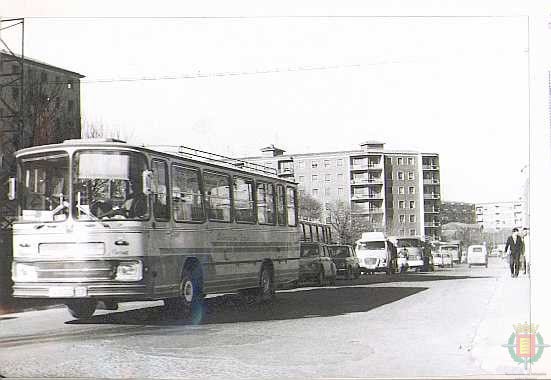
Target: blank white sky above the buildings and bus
[(457, 86)]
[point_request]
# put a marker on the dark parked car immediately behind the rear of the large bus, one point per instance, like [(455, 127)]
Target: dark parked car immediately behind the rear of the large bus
[(315, 264)]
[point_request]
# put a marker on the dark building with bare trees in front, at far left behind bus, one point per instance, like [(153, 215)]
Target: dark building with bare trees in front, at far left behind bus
[(39, 104)]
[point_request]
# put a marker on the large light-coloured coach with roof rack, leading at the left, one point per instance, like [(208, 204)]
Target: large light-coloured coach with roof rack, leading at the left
[(103, 220)]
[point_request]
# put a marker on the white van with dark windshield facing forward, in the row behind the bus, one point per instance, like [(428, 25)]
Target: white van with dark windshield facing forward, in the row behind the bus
[(374, 253)]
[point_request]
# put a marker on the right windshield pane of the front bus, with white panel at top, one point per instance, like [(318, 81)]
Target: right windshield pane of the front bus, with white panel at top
[(108, 185)]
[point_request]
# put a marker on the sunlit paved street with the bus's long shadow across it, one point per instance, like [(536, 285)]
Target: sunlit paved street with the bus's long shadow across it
[(447, 322)]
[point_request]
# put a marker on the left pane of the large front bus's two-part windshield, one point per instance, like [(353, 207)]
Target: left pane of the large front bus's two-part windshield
[(43, 187)]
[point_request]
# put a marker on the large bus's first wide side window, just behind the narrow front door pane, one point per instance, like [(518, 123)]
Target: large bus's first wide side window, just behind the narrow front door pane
[(187, 200)]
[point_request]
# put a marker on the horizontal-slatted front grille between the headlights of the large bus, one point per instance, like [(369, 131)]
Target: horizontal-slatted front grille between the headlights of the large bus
[(74, 271)]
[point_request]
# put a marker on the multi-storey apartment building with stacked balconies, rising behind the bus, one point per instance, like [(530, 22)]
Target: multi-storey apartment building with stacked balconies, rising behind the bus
[(396, 191)]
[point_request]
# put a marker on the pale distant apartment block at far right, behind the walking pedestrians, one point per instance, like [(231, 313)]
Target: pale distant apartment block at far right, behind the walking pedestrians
[(497, 216)]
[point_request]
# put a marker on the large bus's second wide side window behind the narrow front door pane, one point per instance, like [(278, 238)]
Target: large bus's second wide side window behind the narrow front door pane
[(217, 196)]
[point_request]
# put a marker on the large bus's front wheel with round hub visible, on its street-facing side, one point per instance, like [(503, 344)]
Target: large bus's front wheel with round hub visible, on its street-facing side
[(191, 292)]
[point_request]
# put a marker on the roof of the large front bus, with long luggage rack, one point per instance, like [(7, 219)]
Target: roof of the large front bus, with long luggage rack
[(180, 151)]
